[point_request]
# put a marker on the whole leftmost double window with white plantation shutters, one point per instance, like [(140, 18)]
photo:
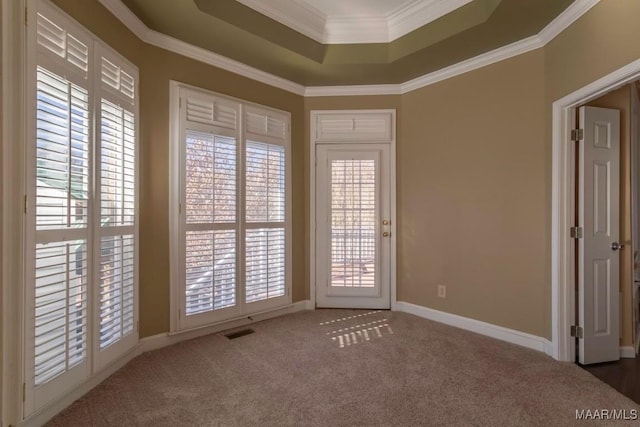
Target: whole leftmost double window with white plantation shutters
[(81, 234)]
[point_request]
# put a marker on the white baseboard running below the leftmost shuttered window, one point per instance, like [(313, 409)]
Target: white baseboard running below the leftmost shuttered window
[(45, 414)]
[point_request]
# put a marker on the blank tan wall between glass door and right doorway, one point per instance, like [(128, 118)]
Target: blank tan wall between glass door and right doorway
[(471, 163)]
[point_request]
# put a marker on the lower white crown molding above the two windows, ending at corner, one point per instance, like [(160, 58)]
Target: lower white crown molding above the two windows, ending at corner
[(147, 35)]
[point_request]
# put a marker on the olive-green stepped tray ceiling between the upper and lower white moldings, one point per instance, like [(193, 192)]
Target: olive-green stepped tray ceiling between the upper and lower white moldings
[(256, 38)]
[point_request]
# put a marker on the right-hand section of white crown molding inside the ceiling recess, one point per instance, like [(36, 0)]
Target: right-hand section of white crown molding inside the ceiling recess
[(416, 14)]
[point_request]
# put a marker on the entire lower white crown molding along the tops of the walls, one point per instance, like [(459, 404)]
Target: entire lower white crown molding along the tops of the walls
[(564, 20)]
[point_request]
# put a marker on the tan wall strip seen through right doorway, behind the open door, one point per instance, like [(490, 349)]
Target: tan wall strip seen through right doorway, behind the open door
[(620, 99)]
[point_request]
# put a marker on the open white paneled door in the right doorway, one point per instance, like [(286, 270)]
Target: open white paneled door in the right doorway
[(598, 251)]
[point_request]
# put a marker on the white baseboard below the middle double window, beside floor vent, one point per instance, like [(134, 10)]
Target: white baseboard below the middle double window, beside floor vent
[(159, 341)]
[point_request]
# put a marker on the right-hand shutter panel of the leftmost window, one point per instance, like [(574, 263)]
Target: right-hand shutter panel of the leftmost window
[(116, 185)]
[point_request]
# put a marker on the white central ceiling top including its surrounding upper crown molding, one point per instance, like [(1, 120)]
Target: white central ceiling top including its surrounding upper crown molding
[(354, 21)]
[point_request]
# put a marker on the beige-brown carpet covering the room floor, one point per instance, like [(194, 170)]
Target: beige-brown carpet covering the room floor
[(345, 368)]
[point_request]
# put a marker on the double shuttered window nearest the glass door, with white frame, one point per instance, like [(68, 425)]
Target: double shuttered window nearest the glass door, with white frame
[(231, 222)]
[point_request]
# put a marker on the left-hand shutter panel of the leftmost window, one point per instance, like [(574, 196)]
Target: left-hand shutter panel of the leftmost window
[(58, 273)]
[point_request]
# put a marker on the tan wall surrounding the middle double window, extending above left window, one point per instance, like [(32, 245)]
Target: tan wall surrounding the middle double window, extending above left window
[(157, 67)]
